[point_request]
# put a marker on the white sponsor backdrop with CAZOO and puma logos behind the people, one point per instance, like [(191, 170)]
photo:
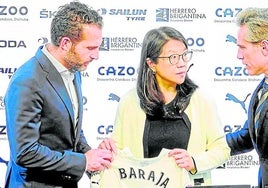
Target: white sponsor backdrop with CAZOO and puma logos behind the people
[(210, 31)]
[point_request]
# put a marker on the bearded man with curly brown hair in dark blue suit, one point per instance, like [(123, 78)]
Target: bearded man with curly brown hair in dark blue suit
[(44, 106)]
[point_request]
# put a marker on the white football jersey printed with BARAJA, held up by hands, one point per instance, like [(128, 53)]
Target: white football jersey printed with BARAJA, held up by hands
[(127, 171)]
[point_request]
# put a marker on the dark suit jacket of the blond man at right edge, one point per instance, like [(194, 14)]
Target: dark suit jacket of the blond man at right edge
[(245, 139)]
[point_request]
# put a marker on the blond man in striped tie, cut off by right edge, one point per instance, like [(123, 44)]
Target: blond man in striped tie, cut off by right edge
[(252, 42)]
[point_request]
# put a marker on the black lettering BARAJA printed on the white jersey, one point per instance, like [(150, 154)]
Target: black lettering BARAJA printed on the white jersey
[(158, 178)]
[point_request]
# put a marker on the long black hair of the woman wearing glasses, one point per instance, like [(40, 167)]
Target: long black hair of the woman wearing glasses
[(151, 98)]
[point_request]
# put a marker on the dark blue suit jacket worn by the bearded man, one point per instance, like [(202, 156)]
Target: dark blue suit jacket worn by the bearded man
[(45, 151)]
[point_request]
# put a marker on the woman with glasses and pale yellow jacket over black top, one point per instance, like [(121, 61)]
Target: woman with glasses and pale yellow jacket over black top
[(168, 110)]
